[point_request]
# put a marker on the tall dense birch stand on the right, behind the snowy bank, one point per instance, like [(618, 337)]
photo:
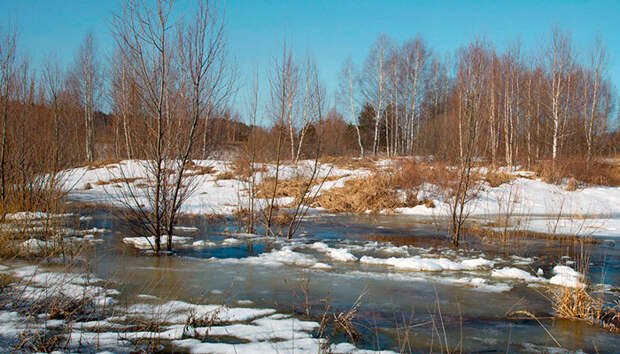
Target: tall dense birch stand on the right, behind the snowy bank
[(550, 104)]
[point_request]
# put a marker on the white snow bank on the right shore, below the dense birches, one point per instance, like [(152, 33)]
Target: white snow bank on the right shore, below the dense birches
[(538, 203)]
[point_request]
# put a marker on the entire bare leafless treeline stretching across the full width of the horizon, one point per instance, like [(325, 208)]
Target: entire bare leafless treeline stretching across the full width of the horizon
[(405, 99)]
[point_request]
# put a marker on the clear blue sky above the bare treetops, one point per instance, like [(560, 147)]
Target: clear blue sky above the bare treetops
[(333, 30)]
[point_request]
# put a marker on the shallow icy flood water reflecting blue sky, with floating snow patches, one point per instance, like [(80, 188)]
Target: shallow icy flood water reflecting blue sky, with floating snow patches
[(399, 309)]
